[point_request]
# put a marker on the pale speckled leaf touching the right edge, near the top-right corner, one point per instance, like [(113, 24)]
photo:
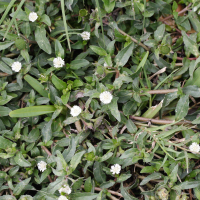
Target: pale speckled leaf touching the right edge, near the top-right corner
[(190, 44)]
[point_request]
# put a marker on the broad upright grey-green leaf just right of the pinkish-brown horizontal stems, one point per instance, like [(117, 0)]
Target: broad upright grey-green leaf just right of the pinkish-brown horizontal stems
[(182, 107)]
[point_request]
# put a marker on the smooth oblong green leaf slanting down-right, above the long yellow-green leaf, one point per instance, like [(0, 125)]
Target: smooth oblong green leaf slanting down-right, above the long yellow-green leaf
[(36, 85)]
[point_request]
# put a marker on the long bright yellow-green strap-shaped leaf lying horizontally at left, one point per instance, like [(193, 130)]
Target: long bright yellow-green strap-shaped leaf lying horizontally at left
[(32, 111)]
